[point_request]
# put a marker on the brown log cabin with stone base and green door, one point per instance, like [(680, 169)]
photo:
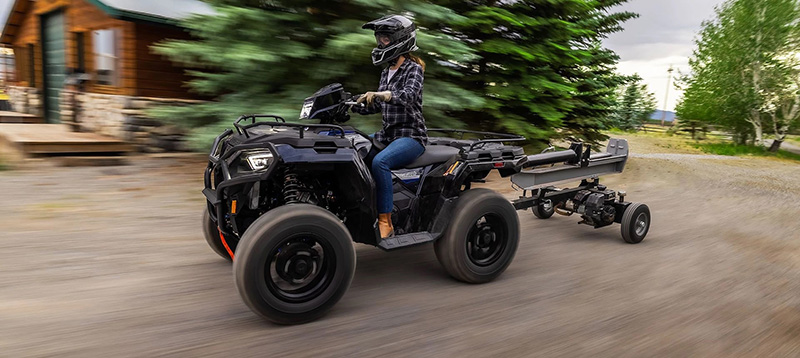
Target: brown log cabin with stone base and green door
[(88, 63)]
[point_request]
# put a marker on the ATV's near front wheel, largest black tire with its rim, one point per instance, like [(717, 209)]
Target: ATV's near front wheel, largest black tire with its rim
[(294, 263)]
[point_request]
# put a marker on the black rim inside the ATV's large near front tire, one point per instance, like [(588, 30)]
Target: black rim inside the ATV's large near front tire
[(300, 268)]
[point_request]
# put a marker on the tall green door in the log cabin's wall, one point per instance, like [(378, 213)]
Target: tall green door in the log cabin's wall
[(54, 63)]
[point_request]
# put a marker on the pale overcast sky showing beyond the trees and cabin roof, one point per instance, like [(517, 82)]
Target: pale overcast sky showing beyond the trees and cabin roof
[(660, 37)]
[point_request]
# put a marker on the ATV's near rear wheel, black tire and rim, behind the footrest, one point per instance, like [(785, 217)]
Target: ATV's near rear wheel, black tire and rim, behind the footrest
[(481, 239)]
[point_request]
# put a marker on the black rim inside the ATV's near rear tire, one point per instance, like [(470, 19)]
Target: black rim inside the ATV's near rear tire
[(487, 240)]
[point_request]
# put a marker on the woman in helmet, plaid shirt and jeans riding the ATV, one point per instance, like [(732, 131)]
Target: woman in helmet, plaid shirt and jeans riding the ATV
[(399, 99)]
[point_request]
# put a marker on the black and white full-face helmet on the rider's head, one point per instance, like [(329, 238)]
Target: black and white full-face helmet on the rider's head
[(395, 35)]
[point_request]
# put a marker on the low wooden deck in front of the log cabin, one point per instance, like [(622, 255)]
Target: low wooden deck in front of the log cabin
[(20, 141)]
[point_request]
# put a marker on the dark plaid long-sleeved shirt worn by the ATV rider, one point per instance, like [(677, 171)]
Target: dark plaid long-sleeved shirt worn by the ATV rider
[(402, 115)]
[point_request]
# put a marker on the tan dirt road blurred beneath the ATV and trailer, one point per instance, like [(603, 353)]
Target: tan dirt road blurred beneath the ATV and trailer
[(110, 262)]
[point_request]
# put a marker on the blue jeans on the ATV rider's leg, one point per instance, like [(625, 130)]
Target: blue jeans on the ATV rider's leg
[(401, 152)]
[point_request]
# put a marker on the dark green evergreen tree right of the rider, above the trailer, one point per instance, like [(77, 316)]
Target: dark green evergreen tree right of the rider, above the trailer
[(542, 70)]
